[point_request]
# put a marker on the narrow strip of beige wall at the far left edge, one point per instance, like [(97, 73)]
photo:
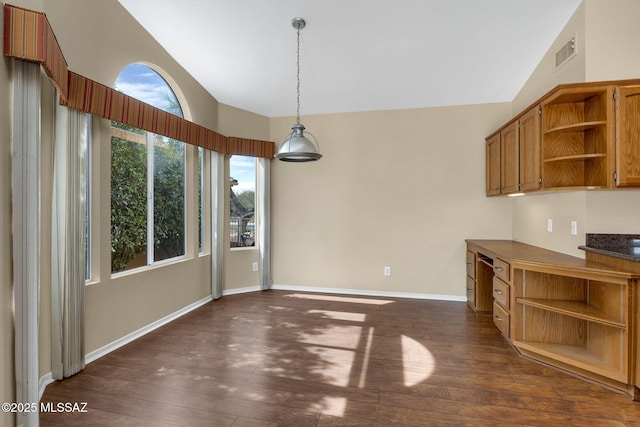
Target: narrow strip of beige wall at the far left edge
[(7, 375)]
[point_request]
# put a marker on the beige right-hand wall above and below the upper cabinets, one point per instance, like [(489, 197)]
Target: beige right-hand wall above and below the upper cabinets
[(607, 50)]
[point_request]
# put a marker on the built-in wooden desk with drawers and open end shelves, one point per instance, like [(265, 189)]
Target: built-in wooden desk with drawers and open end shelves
[(573, 313)]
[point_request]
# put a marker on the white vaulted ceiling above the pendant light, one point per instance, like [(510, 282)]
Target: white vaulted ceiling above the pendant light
[(356, 55)]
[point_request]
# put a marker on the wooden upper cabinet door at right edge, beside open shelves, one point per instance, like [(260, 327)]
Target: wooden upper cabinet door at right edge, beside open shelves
[(628, 136)]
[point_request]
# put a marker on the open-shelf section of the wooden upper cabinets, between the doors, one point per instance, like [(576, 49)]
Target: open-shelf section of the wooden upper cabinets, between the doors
[(578, 138)]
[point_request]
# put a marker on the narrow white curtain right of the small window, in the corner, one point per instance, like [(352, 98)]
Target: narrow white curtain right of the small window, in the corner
[(264, 222)]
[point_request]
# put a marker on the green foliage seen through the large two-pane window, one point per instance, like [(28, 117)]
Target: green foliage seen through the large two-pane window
[(129, 200)]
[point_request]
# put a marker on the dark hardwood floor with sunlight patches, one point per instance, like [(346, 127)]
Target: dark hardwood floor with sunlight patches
[(290, 358)]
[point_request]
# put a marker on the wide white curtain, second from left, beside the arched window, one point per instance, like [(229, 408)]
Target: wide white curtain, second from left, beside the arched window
[(68, 242)]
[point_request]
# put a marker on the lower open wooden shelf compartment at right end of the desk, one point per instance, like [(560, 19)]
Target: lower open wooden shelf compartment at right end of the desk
[(581, 324)]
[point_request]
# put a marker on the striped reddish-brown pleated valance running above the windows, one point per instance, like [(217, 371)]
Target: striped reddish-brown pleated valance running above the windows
[(28, 36)]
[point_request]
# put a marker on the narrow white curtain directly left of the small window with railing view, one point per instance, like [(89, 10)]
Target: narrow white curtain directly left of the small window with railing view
[(217, 223)]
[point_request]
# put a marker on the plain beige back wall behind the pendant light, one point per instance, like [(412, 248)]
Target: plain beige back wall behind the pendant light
[(394, 188)]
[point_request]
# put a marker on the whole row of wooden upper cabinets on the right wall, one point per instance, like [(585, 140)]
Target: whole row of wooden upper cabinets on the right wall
[(577, 136)]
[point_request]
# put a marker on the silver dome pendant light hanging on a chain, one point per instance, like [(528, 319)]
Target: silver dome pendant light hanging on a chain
[(296, 147)]
